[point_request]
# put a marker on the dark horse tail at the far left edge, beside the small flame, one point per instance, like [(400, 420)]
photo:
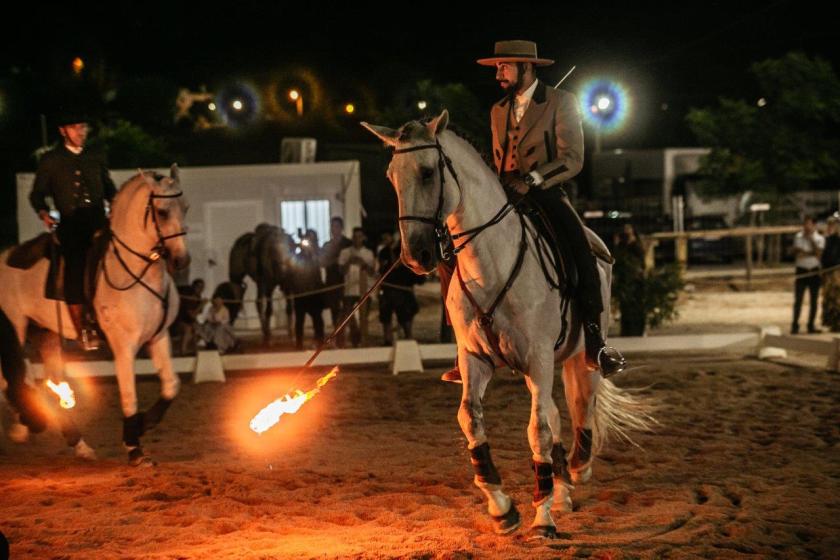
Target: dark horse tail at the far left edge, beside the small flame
[(20, 394)]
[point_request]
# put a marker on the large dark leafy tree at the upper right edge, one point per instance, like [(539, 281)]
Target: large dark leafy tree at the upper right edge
[(788, 141)]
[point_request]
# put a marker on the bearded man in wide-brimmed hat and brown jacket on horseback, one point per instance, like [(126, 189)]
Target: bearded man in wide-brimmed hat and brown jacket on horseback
[(537, 145)]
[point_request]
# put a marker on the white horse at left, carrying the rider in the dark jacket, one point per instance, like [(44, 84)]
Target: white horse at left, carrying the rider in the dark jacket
[(135, 301)]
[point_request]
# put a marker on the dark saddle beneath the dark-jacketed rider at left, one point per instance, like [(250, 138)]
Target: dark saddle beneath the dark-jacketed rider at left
[(46, 246)]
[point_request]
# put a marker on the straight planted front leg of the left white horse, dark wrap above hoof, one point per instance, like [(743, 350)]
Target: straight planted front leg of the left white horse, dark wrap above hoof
[(125, 349)]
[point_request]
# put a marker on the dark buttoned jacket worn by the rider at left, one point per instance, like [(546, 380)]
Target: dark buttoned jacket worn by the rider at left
[(72, 181)]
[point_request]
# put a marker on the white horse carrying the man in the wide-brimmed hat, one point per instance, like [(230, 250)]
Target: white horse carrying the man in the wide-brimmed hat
[(504, 311)]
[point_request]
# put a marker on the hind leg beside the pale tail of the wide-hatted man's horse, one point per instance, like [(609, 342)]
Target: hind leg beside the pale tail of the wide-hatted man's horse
[(580, 384)]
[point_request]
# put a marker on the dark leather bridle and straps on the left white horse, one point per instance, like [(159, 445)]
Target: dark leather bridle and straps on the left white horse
[(159, 250)]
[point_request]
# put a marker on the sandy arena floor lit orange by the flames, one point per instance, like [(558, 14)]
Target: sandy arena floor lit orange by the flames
[(744, 465)]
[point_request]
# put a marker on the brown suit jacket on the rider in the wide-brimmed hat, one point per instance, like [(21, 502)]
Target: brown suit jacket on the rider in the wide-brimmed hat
[(550, 136)]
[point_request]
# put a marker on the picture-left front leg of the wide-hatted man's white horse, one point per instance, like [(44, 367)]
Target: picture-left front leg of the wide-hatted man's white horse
[(476, 374)]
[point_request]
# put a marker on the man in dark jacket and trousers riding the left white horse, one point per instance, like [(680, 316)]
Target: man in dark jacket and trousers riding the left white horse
[(77, 182)]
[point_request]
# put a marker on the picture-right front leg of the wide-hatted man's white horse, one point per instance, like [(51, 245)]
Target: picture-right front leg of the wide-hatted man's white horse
[(540, 381)]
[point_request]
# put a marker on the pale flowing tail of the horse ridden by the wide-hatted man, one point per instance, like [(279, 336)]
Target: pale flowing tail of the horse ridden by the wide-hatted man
[(618, 413)]
